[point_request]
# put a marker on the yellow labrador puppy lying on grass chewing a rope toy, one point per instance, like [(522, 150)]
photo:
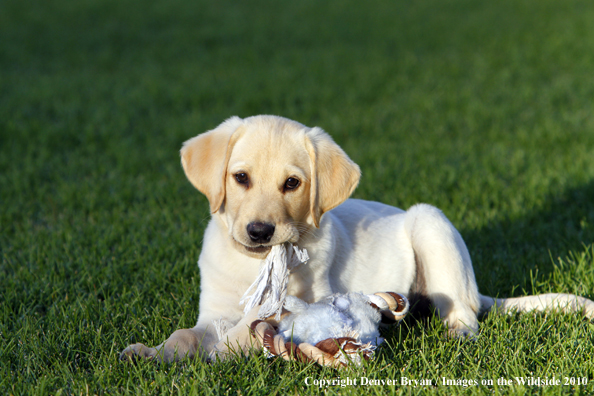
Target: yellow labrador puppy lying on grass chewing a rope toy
[(270, 180)]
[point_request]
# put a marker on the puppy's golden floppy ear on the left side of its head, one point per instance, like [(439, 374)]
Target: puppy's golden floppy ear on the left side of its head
[(205, 159)]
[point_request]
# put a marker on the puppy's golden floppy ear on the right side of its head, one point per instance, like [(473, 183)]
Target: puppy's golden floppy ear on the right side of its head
[(334, 174)]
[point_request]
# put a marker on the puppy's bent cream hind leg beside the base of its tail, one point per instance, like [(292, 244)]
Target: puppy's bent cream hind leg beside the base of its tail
[(444, 269)]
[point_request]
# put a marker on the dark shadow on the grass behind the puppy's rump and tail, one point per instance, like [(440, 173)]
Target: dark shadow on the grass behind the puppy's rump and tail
[(505, 252)]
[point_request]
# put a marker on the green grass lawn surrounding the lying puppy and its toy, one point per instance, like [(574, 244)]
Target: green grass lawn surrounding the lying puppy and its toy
[(484, 109)]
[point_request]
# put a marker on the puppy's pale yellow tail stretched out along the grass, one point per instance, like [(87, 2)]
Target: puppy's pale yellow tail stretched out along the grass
[(540, 303)]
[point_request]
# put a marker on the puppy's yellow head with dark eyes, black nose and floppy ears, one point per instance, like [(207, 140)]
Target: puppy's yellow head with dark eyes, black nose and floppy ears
[(269, 179)]
